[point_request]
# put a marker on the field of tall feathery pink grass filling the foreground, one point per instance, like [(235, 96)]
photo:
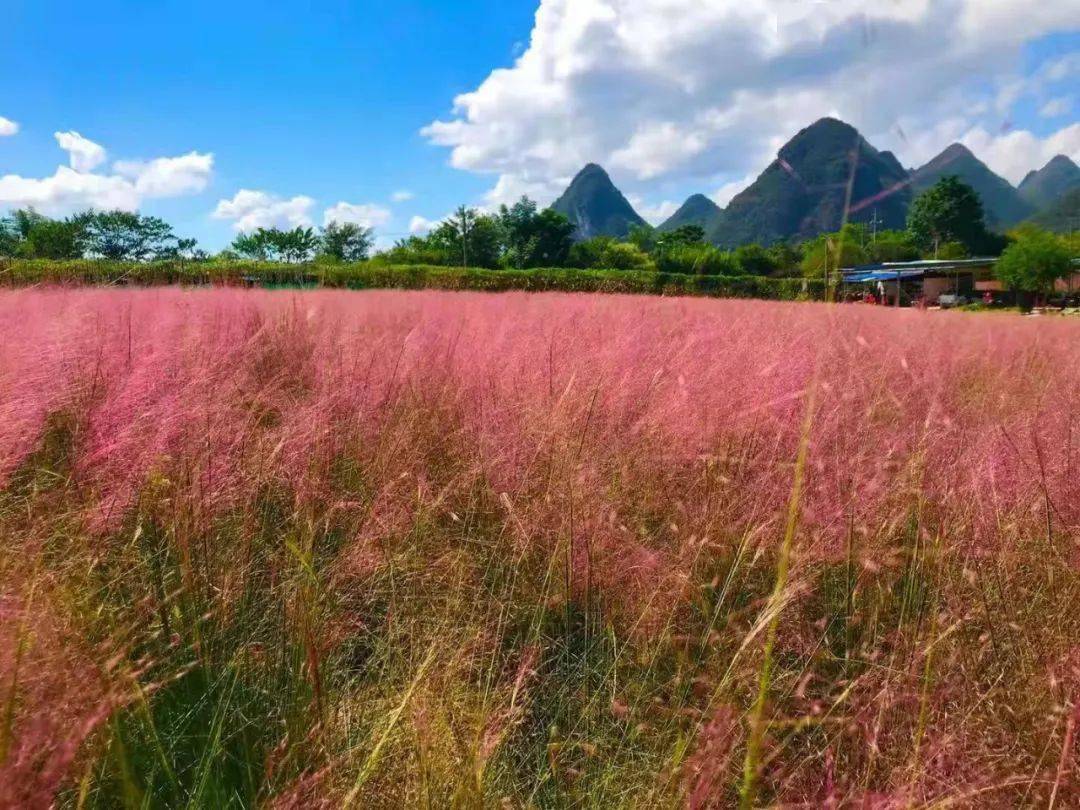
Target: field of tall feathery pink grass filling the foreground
[(431, 549)]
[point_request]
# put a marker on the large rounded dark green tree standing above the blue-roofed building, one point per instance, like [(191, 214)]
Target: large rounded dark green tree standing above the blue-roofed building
[(950, 211)]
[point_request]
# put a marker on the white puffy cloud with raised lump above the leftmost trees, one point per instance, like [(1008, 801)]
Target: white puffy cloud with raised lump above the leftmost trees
[(78, 186)]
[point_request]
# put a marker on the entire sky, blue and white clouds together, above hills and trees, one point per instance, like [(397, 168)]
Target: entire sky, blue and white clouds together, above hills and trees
[(276, 113)]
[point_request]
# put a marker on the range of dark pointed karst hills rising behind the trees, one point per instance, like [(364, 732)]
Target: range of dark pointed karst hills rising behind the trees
[(814, 187)]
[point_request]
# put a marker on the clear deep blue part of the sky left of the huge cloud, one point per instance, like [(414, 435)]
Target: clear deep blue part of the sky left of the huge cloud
[(328, 103)]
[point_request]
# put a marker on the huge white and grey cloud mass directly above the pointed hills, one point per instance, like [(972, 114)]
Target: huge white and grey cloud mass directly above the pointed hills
[(691, 92)]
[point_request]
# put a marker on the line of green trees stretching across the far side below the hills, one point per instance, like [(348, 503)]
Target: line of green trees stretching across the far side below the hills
[(946, 222)]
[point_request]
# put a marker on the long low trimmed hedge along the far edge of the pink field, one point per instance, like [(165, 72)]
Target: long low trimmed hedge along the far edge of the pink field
[(371, 276)]
